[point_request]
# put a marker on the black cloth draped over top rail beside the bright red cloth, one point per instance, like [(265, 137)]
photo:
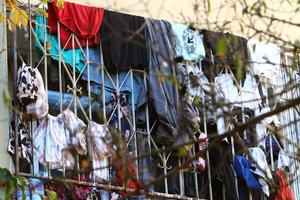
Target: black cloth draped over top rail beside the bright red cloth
[(123, 41)]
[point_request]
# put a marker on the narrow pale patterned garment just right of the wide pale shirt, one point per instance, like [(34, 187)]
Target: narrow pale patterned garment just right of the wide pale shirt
[(99, 139)]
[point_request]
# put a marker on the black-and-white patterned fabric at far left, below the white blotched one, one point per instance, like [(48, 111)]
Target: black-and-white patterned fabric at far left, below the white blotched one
[(25, 145)]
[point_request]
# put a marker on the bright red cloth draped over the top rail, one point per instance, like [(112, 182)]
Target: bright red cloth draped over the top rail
[(83, 21)]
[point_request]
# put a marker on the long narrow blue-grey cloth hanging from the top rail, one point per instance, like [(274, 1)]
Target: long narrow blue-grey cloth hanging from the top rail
[(163, 94)]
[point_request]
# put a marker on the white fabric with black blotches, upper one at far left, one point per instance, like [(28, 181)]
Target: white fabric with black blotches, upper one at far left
[(30, 91)]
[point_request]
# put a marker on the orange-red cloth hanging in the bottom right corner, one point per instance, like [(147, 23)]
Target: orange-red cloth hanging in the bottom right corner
[(283, 191)]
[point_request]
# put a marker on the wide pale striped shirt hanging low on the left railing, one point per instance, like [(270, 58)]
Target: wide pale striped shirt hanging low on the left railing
[(56, 133)]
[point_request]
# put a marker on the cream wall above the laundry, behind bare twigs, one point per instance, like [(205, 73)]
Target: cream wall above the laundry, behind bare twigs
[(220, 12)]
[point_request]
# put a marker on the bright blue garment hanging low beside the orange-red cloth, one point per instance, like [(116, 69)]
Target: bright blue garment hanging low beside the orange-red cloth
[(242, 169)]
